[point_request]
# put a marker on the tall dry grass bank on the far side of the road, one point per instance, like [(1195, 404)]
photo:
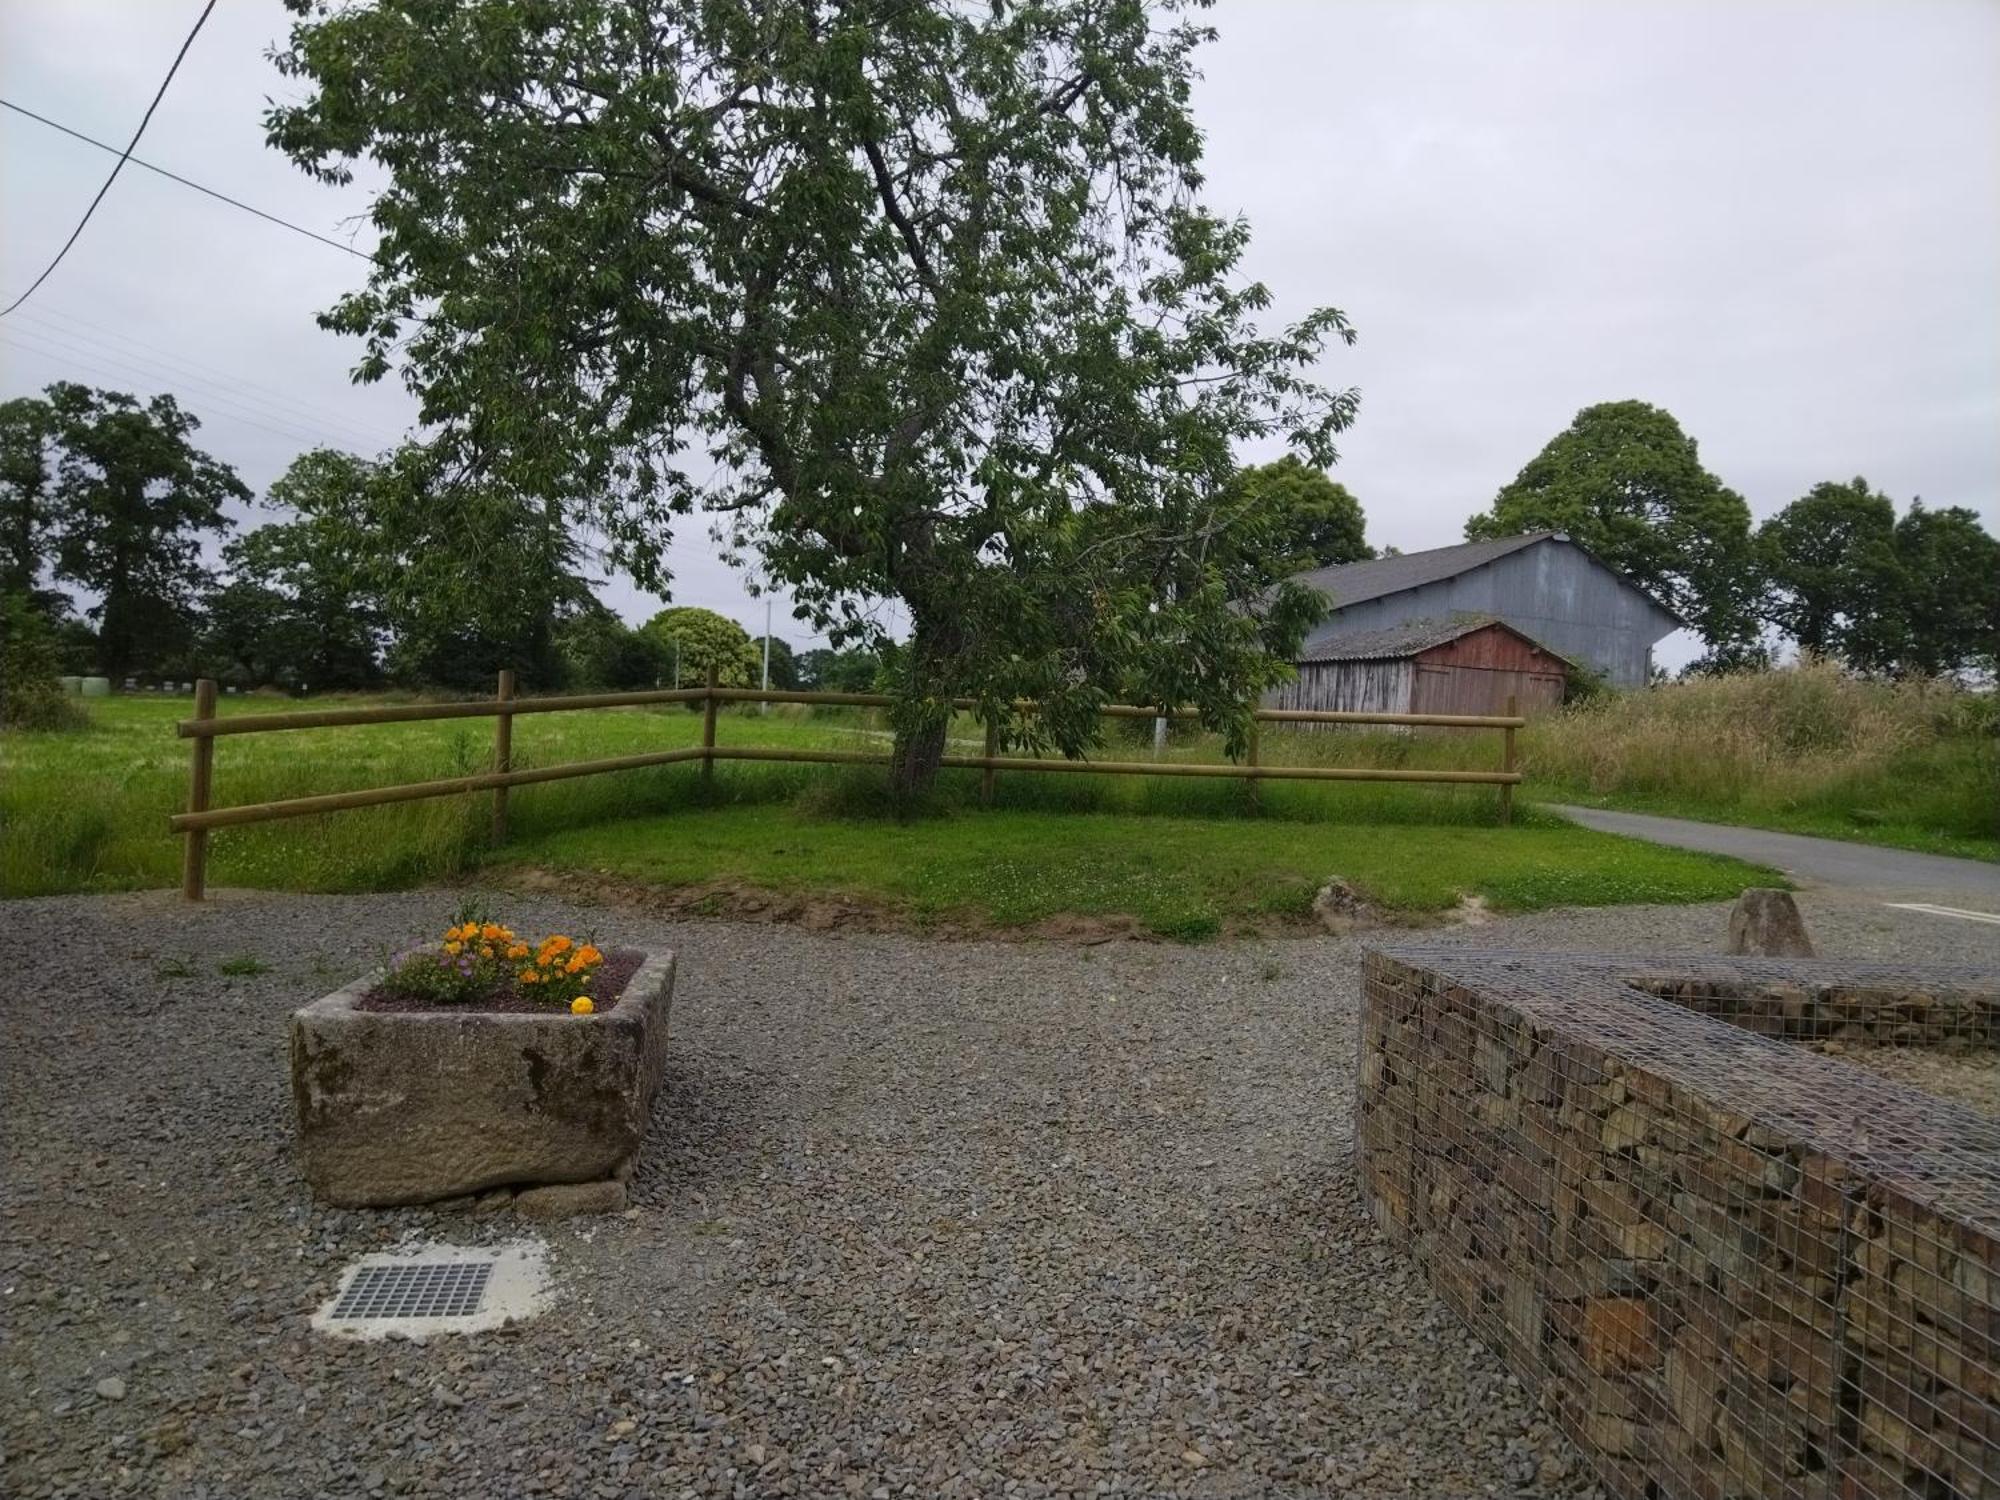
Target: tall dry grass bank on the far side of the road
[(1807, 749)]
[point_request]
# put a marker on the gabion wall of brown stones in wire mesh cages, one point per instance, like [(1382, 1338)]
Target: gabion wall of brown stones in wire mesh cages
[(1729, 1265)]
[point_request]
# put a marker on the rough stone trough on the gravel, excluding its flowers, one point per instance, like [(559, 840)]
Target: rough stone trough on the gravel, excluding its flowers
[(415, 1107)]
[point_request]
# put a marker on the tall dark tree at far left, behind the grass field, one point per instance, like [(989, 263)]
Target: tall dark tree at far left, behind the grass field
[(137, 501)]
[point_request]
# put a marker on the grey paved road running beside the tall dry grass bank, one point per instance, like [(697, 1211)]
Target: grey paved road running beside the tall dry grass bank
[(1813, 861)]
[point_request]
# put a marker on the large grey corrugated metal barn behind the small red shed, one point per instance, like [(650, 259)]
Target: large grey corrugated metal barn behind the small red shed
[(1553, 593)]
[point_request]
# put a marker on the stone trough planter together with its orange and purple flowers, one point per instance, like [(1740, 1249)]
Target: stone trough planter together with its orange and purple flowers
[(455, 1073)]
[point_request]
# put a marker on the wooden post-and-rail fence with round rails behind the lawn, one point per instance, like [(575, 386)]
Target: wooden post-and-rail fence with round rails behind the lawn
[(205, 729)]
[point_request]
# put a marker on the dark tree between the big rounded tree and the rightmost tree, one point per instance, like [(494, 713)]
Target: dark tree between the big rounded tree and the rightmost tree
[(1831, 565)]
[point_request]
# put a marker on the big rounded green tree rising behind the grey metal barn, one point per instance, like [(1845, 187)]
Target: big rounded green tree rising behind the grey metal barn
[(1629, 485)]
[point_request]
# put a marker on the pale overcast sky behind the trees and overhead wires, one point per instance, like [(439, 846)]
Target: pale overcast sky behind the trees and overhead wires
[(1777, 219)]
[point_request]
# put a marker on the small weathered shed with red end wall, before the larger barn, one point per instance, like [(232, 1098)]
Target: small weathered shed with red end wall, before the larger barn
[(1461, 665)]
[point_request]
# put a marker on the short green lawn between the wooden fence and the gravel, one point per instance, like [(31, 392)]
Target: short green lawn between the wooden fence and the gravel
[(1177, 877)]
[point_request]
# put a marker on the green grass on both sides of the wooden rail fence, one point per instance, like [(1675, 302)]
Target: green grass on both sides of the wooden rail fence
[(1185, 857)]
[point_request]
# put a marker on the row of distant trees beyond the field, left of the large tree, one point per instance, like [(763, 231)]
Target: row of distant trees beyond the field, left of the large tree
[(371, 573)]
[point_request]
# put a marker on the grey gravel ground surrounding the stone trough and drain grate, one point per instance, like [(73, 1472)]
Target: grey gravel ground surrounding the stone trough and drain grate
[(941, 1219)]
